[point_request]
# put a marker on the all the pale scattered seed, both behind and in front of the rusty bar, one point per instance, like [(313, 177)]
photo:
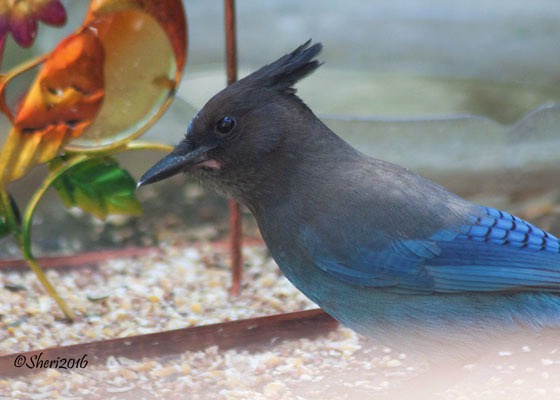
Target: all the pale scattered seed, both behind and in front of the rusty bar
[(187, 286)]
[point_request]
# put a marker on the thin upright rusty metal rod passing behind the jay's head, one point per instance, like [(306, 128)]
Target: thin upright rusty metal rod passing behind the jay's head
[(234, 209)]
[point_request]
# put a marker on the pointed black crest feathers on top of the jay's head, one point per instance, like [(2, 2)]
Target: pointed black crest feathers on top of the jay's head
[(283, 73)]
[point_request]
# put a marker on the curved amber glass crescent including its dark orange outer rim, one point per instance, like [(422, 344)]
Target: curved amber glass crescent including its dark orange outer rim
[(145, 44)]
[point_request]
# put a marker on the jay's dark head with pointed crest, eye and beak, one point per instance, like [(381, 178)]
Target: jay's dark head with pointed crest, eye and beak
[(241, 124)]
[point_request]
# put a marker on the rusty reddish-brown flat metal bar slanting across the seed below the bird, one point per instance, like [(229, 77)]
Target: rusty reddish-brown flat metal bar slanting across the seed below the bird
[(253, 334)]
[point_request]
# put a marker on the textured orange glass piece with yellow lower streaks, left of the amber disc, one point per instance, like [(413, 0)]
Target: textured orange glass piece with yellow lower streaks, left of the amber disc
[(63, 100)]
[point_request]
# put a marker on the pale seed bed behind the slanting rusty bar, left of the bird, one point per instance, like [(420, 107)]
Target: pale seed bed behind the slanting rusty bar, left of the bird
[(179, 288)]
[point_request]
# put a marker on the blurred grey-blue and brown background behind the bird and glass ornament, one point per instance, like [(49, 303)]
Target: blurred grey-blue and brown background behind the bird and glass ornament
[(463, 92)]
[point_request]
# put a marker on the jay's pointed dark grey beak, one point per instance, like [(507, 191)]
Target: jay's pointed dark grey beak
[(181, 159)]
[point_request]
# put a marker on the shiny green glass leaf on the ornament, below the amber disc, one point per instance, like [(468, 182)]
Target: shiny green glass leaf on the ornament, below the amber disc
[(98, 186)]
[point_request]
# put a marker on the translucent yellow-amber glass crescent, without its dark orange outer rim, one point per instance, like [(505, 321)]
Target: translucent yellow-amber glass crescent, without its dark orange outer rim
[(140, 72)]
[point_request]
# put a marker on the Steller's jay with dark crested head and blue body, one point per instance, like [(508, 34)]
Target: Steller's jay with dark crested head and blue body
[(384, 251)]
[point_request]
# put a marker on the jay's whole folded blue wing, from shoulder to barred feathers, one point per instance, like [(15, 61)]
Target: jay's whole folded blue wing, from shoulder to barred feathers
[(496, 252)]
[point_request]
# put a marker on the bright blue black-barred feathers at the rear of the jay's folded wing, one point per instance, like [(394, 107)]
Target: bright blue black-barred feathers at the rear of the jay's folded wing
[(498, 252)]
